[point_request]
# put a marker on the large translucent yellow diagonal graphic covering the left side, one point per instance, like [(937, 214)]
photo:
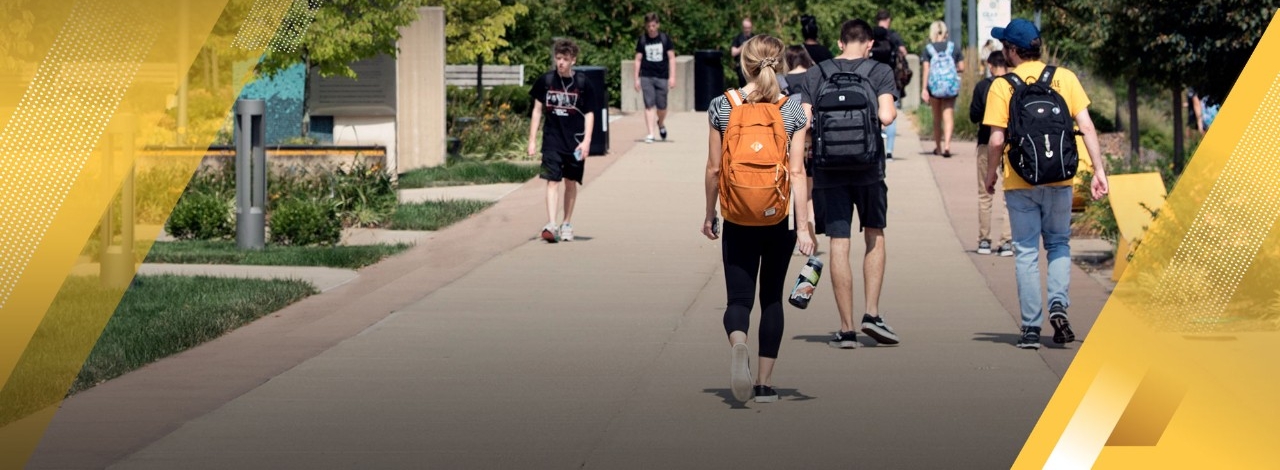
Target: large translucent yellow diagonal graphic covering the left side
[(95, 116)]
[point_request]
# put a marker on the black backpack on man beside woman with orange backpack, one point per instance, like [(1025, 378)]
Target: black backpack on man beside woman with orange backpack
[(847, 118)]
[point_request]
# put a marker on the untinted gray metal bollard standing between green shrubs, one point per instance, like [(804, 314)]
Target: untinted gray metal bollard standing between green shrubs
[(250, 175)]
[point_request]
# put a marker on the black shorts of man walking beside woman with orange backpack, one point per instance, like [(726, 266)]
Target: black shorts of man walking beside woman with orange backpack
[(840, 202)]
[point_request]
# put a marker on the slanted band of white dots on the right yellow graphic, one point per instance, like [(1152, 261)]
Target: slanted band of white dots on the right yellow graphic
[(1228, 231)]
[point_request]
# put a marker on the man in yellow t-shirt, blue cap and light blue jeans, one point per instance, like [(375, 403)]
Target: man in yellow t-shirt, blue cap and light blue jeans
[(1045, 211)]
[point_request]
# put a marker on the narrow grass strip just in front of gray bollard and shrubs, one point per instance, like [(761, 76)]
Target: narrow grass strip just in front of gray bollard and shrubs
[(227, 253)]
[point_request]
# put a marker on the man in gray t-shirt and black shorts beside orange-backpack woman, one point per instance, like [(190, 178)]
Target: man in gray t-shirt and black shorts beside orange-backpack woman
[(844, 191)]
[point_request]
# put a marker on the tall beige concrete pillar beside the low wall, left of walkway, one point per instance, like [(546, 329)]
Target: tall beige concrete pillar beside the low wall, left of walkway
[(420, 93)]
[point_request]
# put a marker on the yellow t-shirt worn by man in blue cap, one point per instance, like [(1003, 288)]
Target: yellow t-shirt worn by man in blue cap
[(998, 112)]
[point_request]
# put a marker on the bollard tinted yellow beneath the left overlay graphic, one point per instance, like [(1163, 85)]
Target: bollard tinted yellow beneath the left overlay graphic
[(117, 261)]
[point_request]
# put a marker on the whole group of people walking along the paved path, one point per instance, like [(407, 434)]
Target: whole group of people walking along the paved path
[(802, 145)]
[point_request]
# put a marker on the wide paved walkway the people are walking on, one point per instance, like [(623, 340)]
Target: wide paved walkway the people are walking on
[(606, 353)]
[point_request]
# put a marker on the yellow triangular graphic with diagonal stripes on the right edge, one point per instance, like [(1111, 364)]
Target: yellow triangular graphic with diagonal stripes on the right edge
[(1180, 371)]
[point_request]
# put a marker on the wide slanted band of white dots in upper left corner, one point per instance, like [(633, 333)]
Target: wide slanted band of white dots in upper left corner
[(61, 118)]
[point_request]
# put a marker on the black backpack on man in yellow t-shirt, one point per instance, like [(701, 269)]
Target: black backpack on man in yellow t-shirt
[(1041, 139)]
